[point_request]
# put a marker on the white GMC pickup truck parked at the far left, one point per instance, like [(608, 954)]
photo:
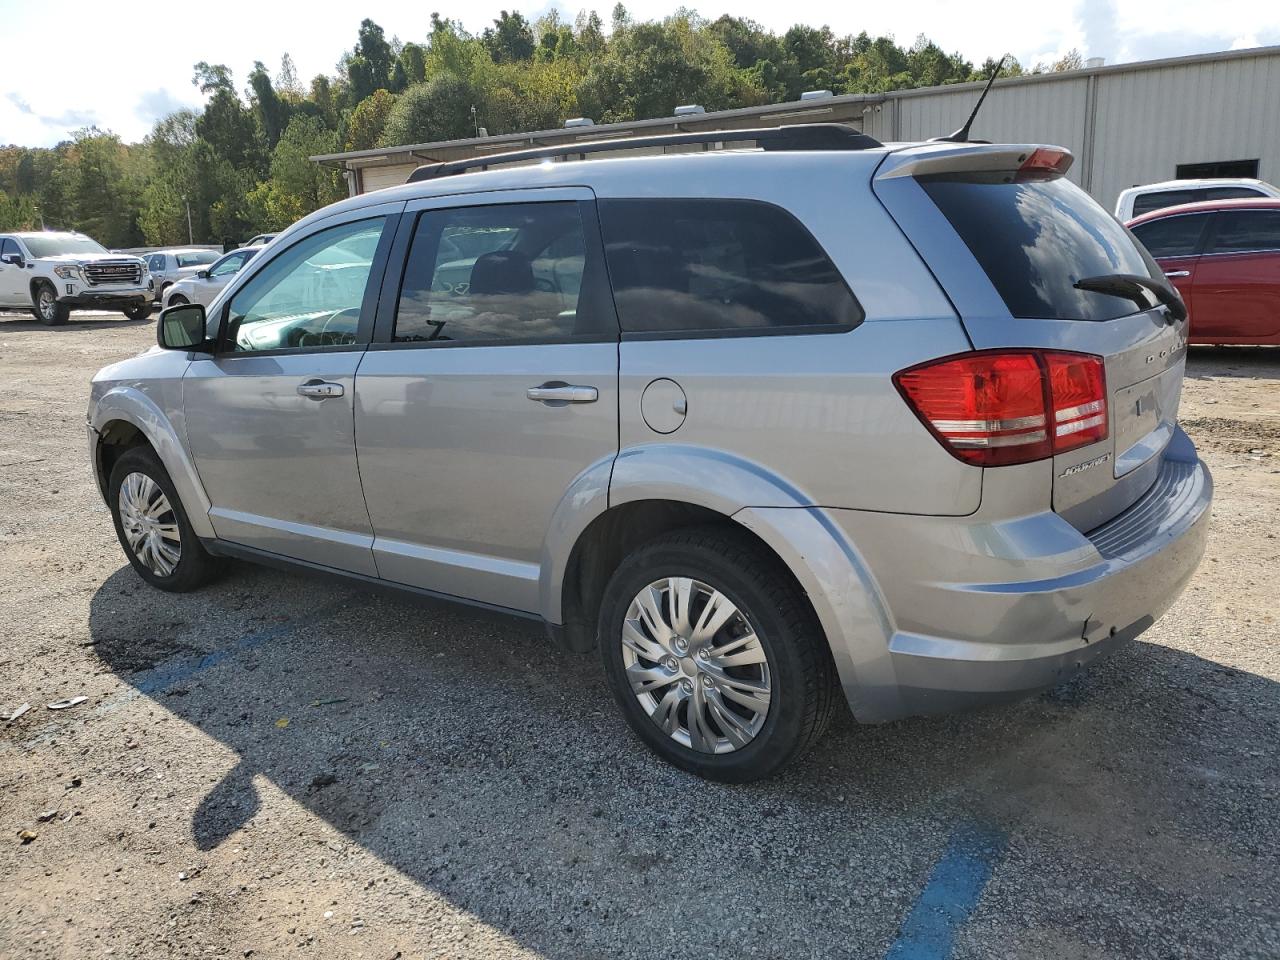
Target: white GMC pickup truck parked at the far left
[(52, 273)]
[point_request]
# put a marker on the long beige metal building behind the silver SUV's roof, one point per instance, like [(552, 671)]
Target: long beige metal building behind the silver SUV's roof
[(1208, 116)]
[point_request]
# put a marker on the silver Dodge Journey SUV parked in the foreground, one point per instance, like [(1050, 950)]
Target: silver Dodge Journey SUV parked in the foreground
[(764, 423)]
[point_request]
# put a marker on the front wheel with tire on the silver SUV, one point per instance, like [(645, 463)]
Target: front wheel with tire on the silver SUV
[(153, 527)]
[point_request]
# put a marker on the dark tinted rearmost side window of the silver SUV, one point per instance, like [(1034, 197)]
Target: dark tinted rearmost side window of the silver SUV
[(708, 267)]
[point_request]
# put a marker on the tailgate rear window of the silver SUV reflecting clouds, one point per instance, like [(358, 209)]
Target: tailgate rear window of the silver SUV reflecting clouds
[(1035, 240)]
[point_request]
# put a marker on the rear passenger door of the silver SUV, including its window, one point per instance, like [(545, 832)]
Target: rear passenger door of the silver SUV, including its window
[(490, 390)]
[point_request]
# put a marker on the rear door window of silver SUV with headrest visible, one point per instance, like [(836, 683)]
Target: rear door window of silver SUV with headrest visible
[(504, 273)]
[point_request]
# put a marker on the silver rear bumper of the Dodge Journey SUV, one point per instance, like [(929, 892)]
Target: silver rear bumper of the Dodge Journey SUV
[(993, 610)]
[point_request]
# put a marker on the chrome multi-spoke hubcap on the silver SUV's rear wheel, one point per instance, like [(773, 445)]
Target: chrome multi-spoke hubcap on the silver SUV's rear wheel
[(697, 666)]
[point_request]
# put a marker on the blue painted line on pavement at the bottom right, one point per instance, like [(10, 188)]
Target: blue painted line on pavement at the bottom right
[(952, 895)]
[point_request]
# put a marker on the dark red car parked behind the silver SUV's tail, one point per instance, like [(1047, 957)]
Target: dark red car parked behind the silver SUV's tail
[(1224, 258)]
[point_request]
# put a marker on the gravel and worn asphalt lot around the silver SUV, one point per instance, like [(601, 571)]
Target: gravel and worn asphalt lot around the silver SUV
[(277, 766)]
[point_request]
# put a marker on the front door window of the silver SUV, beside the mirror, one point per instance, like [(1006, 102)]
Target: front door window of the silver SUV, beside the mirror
[(309, 296)]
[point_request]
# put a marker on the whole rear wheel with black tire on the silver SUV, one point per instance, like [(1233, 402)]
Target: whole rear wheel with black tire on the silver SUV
[(715, 656)]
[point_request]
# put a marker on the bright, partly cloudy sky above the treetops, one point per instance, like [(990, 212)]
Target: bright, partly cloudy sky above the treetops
[(125, 72)]
